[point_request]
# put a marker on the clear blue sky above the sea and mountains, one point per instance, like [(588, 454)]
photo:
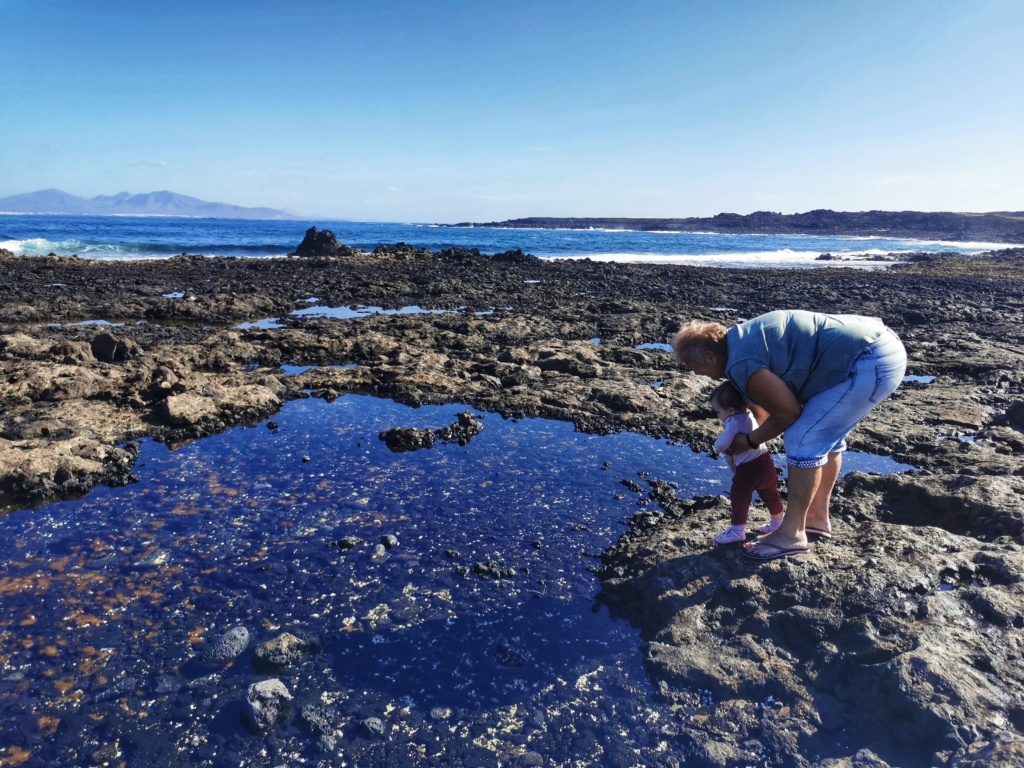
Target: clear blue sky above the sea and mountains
[(456, 111)]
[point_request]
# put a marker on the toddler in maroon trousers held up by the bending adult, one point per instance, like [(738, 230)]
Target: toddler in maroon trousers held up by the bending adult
[(752, 471)]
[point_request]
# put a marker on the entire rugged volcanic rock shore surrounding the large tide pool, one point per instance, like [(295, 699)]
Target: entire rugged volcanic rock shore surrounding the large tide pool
[(900, 643)]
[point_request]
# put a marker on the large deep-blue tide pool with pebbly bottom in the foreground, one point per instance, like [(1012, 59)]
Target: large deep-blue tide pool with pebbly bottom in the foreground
[(109, 603)]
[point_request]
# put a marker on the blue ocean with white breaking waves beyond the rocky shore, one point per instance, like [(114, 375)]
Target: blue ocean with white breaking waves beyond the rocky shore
[(163, 237)]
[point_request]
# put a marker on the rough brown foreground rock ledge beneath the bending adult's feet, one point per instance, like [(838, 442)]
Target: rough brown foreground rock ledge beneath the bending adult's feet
[(895, 642)]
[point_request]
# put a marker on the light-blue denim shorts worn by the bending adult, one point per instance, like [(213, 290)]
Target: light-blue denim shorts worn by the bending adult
[(830, 416)]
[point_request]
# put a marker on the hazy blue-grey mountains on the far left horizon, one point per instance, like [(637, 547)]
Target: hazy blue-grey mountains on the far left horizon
[(126, 204)]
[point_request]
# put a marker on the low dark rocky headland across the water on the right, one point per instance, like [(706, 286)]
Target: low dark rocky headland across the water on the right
[(998, 227)]
